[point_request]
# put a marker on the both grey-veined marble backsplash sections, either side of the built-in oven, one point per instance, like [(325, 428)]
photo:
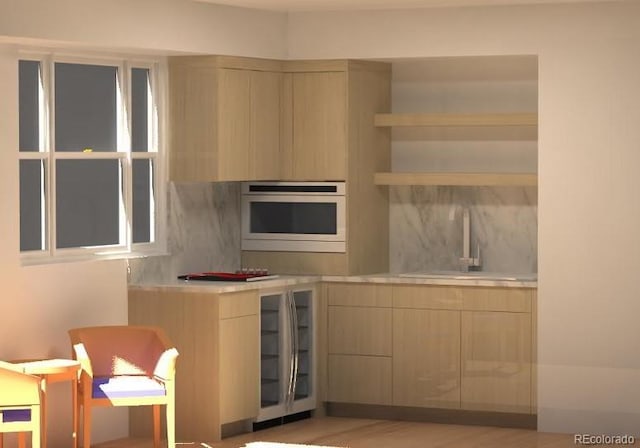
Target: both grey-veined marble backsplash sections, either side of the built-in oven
[(203, 226)]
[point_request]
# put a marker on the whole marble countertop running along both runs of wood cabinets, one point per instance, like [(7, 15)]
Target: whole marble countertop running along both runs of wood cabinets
[(292, 280)]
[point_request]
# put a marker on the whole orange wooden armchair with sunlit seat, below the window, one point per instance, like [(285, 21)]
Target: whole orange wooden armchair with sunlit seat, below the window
[(125, 366)]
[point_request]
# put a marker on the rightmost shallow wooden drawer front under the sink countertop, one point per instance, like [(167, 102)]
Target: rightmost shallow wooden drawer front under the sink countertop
[(516, 300)]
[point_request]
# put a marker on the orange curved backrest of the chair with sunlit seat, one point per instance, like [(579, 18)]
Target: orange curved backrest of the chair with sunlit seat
[(121, 350)]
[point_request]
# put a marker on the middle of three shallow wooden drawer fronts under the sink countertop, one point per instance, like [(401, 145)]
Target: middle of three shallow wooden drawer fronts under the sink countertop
[(427, 297)]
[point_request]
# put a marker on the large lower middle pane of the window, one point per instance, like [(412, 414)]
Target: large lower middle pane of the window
[(87, 203)]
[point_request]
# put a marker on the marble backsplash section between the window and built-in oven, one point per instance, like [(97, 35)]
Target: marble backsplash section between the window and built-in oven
[(203, 232)]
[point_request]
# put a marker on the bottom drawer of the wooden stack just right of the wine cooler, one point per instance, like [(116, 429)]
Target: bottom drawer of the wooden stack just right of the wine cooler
[(359, 379)]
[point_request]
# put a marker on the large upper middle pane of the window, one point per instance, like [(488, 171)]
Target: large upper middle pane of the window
[(86, 100)]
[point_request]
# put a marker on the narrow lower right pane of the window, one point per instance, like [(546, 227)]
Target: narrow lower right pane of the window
[(143, 201)]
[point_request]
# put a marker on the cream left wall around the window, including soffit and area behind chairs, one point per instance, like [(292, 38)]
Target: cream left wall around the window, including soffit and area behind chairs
[(39, 304)]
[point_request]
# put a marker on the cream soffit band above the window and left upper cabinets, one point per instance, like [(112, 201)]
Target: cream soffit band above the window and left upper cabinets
[(146, 25)]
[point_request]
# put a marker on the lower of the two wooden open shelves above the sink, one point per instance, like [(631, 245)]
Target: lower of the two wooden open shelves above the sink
[(460, 179)]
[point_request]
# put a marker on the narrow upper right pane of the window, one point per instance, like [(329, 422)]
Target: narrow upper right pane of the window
[(140, 113)]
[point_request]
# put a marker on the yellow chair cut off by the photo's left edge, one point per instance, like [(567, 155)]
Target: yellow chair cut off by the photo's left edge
[(20, 397)]
